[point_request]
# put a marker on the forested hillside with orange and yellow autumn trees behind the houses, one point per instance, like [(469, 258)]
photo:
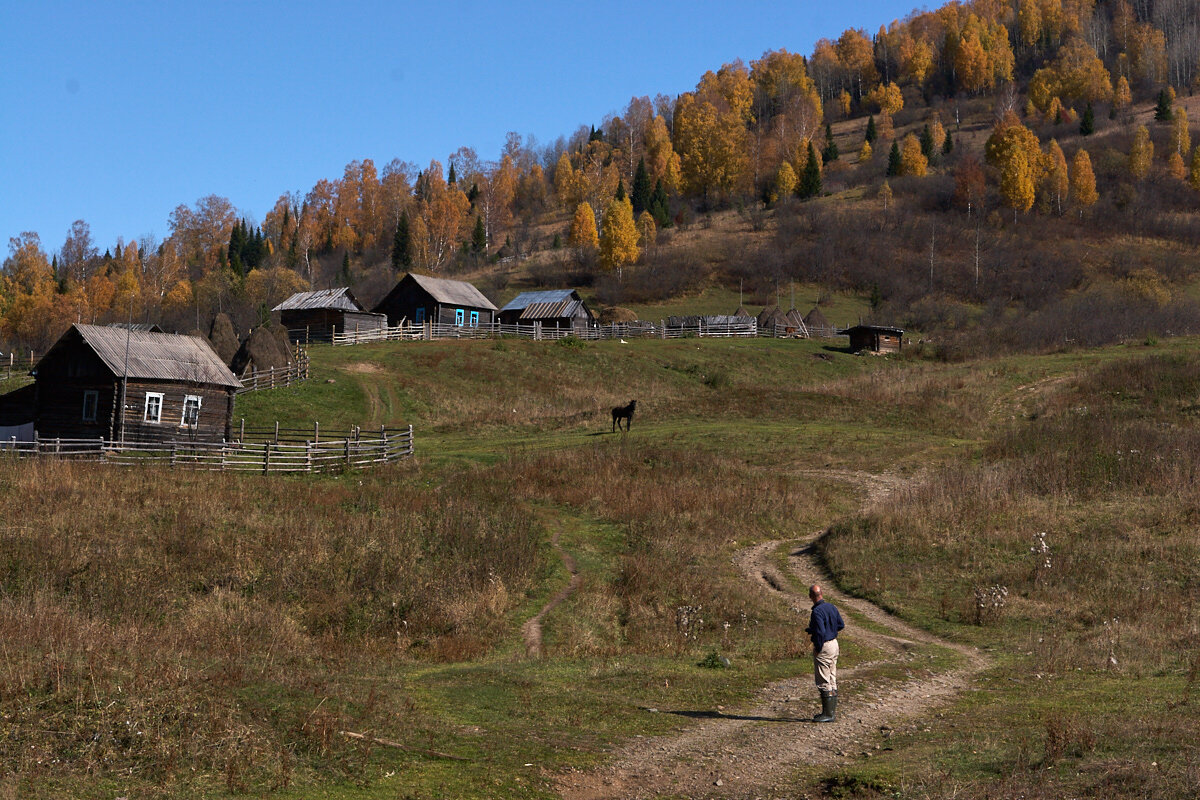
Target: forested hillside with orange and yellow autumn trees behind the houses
[(1012, 172)]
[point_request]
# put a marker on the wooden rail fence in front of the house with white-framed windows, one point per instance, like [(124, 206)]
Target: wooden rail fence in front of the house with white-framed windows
[(367, 450)]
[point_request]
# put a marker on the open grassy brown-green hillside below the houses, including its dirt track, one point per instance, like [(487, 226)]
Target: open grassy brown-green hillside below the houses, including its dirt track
[(273, 615)]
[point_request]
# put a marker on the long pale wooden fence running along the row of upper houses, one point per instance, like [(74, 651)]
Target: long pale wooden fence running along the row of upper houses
[(431, 332)]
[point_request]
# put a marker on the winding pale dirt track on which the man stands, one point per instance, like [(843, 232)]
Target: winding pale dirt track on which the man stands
[(753, 753)]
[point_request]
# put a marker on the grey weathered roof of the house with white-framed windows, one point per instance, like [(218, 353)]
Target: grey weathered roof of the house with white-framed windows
[(146, 356)]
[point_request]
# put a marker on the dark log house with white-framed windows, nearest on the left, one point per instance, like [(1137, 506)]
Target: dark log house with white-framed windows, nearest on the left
[(170, 387)]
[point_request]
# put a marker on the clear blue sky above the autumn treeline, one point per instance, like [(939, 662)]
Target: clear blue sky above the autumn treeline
[(117, 113)]
